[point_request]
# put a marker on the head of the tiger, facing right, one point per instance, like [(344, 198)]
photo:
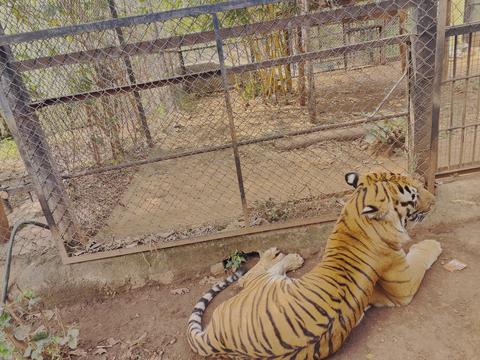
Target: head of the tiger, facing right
[(390, 199)]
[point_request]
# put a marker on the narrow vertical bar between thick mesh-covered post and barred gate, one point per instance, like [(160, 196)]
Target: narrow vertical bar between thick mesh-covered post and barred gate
[(437, 90)]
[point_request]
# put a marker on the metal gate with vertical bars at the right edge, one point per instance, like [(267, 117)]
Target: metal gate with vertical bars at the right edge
[(459, 138)]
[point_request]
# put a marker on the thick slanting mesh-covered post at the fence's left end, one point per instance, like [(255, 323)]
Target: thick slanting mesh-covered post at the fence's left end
[(29, 136)]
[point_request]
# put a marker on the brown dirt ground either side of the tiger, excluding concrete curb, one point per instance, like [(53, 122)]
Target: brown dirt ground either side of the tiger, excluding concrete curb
[(441, 323)]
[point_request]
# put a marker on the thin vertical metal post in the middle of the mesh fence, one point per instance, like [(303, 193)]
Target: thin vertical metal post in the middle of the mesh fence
[(231, 123)]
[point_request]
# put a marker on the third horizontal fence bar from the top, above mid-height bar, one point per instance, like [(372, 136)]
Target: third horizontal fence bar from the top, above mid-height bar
[(214, 73)]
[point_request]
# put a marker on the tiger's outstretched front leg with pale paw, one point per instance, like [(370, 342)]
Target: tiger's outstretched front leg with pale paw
[(399, 284)]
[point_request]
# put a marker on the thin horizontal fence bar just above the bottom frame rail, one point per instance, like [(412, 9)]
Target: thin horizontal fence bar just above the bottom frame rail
[(228, 146)]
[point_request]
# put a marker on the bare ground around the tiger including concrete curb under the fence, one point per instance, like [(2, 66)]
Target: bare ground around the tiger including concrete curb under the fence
[(108, 300)]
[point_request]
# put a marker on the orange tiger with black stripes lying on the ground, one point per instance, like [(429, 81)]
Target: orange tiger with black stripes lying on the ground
[(363, 265)]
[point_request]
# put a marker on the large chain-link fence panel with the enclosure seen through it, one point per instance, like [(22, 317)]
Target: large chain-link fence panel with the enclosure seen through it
[(121, 155)]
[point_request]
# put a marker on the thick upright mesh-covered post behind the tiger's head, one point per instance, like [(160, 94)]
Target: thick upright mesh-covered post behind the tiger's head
[(424, 47)]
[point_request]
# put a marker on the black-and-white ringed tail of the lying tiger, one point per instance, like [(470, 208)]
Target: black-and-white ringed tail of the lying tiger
[(195, 329)]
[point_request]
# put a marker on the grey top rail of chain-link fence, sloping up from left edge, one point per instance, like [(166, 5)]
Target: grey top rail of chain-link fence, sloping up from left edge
[(132, 20)]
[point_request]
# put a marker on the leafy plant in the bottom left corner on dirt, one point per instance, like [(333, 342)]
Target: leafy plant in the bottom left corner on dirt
[(27, 331)]
